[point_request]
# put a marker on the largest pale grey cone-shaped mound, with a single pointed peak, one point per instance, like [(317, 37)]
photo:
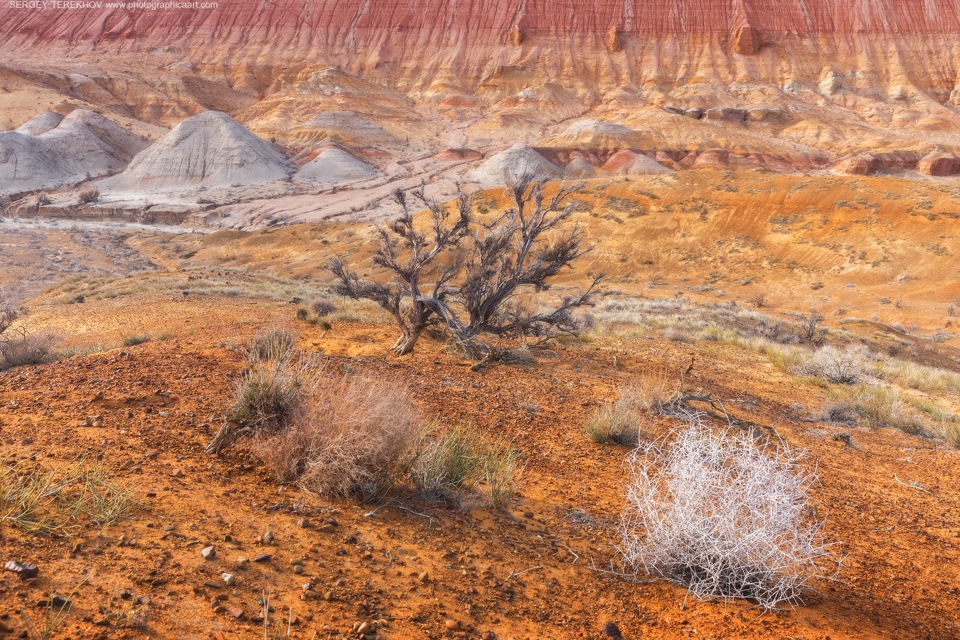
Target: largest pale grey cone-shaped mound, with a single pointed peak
[(210, 150)]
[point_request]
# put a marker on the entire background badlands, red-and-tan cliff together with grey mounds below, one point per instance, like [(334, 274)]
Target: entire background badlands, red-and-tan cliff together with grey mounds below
[(280, 101)]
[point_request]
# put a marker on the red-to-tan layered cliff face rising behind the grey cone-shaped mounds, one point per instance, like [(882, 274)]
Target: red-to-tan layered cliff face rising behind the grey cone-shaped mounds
[(790, 85)]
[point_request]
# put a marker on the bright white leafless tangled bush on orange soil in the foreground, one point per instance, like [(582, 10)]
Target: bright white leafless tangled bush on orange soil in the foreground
[(722, 516)]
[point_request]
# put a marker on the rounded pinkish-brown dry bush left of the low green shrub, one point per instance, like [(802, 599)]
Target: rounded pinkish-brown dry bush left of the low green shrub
[(347, 437)]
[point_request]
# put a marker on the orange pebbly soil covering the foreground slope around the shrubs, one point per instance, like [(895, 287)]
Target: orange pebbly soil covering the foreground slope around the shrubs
[(536, 572)]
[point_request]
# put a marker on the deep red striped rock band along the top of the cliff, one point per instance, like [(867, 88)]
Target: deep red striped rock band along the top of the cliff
[(321, 21)]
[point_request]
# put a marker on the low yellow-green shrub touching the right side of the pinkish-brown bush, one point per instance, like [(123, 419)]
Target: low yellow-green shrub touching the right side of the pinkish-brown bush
[(447, 463)]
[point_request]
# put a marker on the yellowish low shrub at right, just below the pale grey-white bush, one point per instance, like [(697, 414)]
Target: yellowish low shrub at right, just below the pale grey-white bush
[(870, 406)]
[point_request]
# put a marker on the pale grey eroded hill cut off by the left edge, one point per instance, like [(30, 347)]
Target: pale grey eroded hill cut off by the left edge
[(79, 147)]
